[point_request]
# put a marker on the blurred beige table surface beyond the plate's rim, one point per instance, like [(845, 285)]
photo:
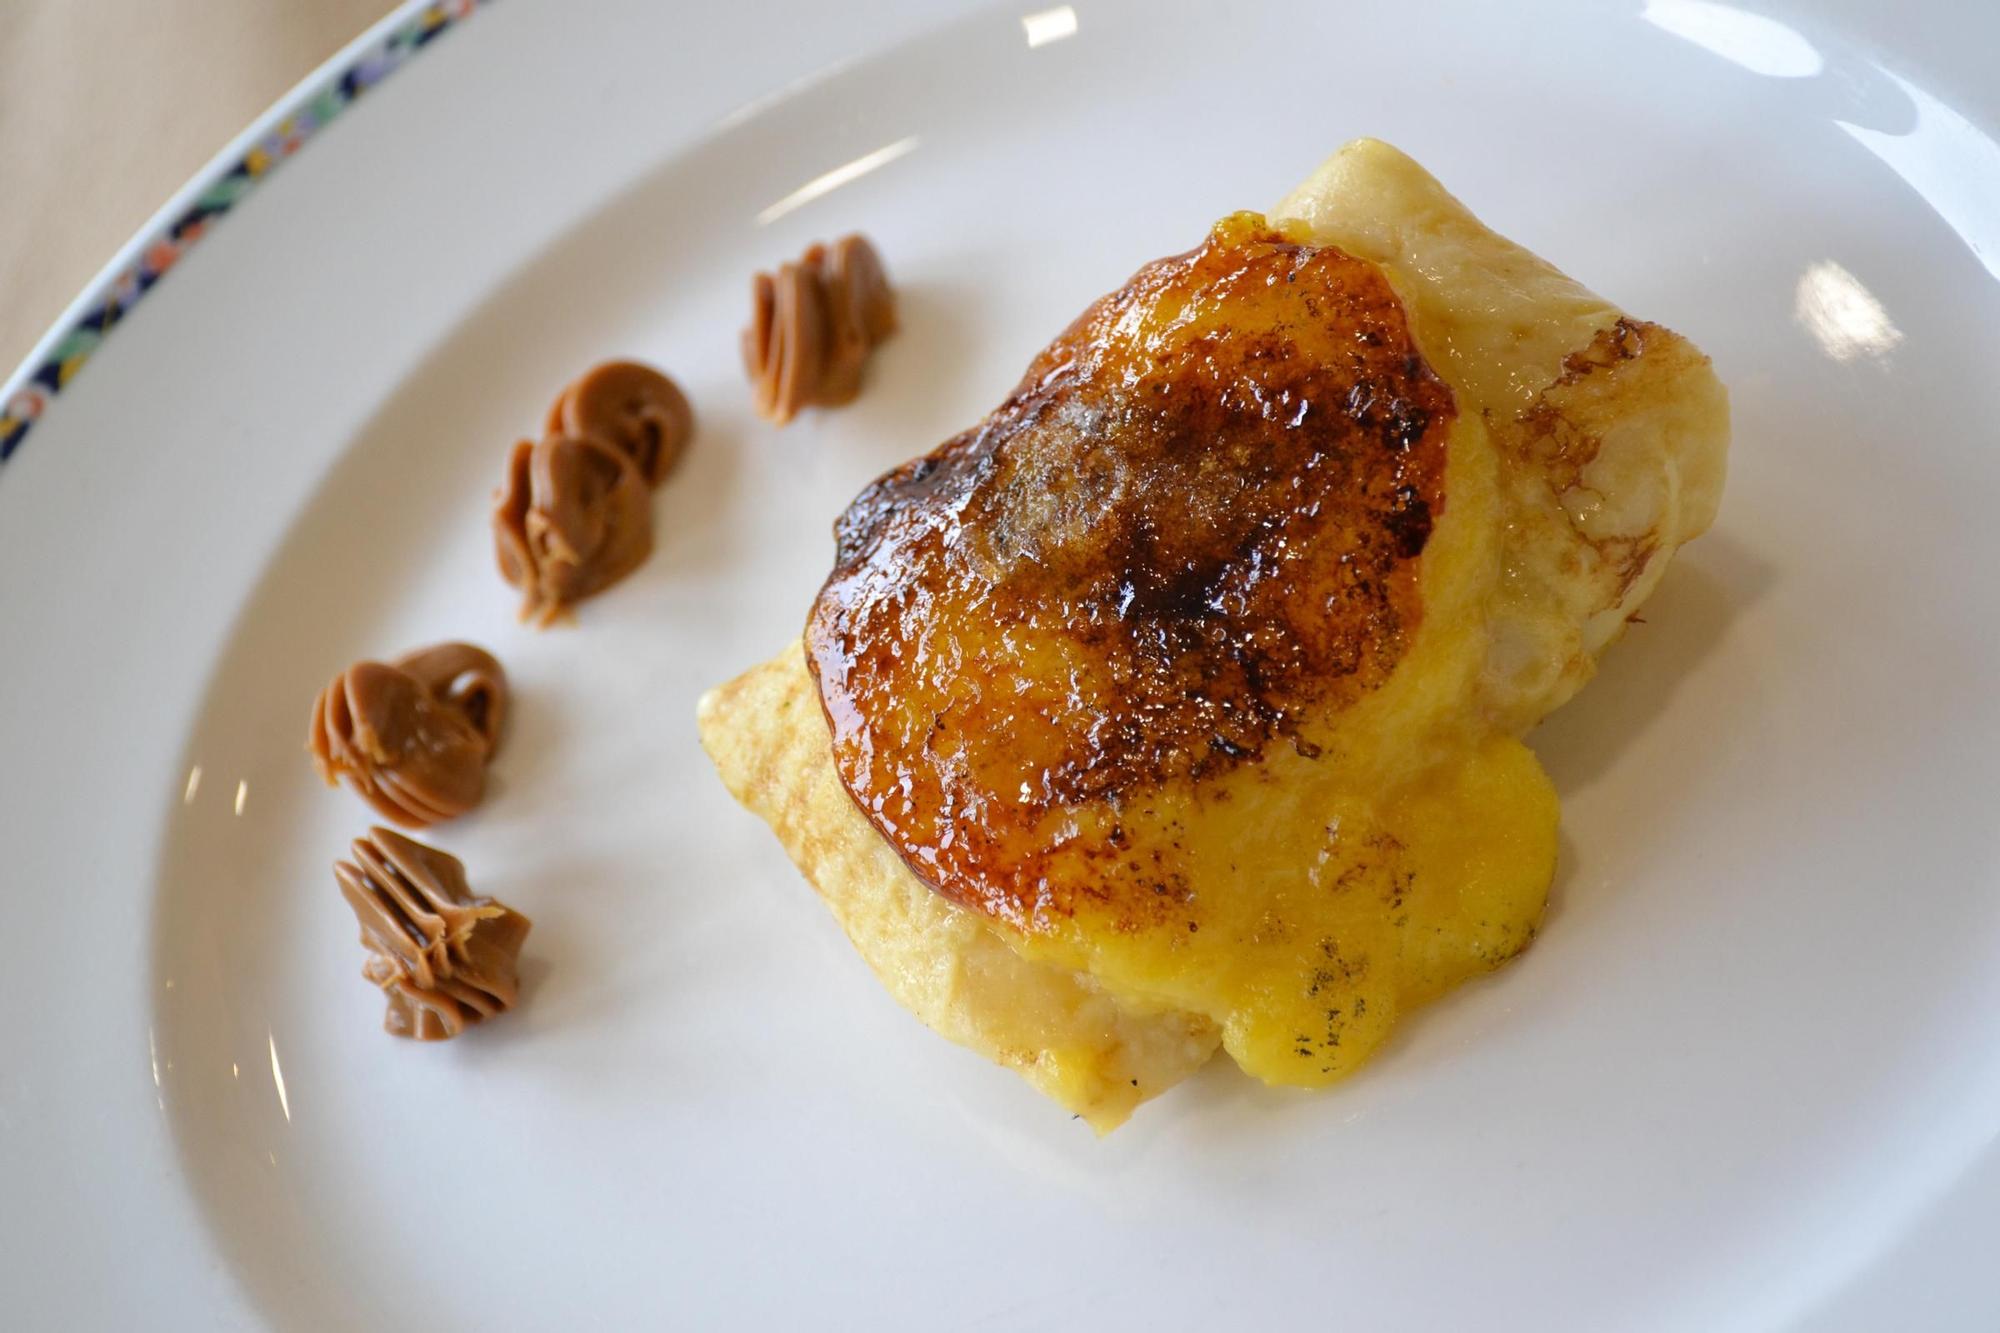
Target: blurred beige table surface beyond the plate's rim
[(107, 107)]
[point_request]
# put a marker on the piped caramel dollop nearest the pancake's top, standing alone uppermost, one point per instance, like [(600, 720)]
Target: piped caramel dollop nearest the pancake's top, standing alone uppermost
[(813, 327)]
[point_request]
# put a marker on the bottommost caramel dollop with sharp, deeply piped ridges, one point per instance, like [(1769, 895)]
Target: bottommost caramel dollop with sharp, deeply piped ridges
[(443, 958)]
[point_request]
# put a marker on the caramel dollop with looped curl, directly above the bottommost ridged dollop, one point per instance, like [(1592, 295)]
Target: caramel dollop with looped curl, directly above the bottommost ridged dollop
[(415, 736)]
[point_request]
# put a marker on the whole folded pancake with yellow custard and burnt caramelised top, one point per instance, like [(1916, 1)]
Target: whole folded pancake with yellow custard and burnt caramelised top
[(1179, 702)]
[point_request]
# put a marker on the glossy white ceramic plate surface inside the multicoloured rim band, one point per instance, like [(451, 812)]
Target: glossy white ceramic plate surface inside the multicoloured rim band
[(1747, 1080)]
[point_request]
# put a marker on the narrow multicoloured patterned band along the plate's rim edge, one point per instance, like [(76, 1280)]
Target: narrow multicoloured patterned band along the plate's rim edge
[(303, 117)]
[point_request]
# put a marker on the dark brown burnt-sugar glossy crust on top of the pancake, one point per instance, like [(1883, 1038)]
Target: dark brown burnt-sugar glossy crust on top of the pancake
[(1191, 533)]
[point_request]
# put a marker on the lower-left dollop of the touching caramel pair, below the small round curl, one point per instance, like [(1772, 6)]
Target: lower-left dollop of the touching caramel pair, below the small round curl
[(571, 519)]
